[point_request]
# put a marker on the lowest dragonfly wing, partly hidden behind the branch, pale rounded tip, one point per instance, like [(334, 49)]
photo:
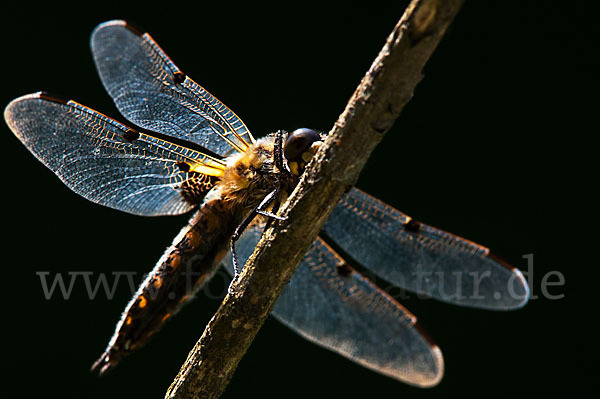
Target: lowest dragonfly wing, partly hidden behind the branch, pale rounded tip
[(334, 306)]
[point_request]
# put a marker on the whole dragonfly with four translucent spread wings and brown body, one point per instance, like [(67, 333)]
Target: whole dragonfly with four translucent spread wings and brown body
[(186, 151)]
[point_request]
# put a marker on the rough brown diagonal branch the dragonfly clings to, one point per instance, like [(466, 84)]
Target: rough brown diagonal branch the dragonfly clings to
[(371, 111)]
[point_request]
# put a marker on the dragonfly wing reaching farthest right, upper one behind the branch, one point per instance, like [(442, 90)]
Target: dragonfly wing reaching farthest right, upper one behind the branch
[(421, 258)]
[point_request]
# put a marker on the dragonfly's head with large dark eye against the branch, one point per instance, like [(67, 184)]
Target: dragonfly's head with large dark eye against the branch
[(299, 148)]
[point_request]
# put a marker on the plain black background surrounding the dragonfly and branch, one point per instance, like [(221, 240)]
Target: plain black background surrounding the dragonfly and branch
[(487, 149)]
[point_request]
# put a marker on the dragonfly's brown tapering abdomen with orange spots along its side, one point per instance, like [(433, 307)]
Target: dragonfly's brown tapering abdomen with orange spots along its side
[(187, 264)]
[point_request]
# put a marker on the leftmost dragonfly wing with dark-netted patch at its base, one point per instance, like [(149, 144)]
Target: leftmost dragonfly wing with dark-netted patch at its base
[(105, 161)]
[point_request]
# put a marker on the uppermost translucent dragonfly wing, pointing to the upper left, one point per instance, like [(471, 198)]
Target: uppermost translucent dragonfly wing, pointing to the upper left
[(151, 92)]
